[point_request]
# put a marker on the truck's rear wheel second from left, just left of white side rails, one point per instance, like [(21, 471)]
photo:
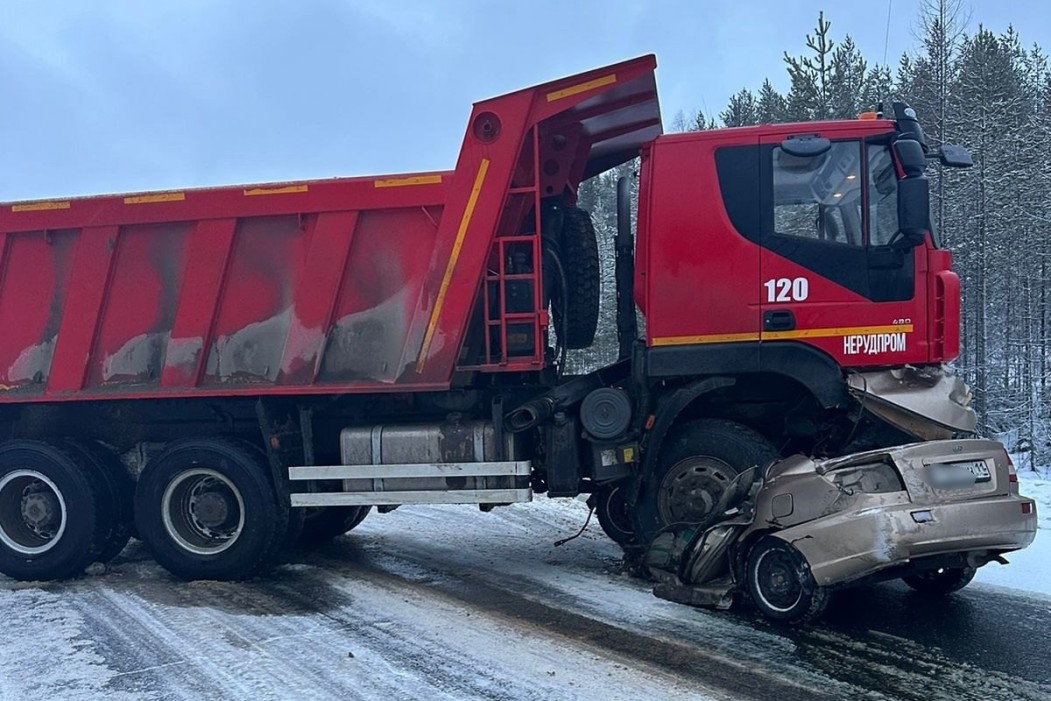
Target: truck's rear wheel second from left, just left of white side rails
[(208, 510)]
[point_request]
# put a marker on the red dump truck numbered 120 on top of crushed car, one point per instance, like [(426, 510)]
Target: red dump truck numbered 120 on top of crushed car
[(225, 370)]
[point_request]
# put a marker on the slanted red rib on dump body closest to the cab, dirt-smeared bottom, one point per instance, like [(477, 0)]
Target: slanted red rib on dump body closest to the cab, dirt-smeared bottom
[(316, 297)]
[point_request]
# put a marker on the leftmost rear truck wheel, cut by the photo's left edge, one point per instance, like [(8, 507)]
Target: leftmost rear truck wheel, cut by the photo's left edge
[(55, 517)]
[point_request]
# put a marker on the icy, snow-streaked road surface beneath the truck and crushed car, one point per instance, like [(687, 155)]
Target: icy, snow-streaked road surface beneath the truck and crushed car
[(452, 604)]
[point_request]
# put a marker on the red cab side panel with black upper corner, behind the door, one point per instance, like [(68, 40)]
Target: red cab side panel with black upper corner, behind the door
[(702, 266)]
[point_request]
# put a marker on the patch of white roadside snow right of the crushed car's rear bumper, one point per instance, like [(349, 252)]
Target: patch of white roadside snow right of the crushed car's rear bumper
[(1029, 569)]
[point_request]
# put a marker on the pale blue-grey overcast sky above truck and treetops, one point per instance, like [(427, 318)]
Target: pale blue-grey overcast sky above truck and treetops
[(105, 96)]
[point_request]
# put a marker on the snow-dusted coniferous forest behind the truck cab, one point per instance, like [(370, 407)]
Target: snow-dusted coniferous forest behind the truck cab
[(988, 92)]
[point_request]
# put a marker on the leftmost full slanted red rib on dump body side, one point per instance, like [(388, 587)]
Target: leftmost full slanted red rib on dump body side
[(89, 283)]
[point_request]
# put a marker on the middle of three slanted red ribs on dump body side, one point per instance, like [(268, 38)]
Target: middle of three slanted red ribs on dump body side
[(207, 261)]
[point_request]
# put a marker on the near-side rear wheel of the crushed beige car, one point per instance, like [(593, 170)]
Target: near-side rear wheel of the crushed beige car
[(781, 585)]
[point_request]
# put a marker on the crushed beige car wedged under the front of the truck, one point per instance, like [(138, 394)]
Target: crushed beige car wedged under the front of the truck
[(790, 534)]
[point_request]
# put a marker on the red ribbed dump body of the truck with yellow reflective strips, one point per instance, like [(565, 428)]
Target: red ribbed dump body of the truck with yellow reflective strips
[(337, 286)]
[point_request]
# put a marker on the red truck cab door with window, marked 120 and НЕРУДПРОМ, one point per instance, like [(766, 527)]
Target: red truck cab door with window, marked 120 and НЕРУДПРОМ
[(833, 273)]
